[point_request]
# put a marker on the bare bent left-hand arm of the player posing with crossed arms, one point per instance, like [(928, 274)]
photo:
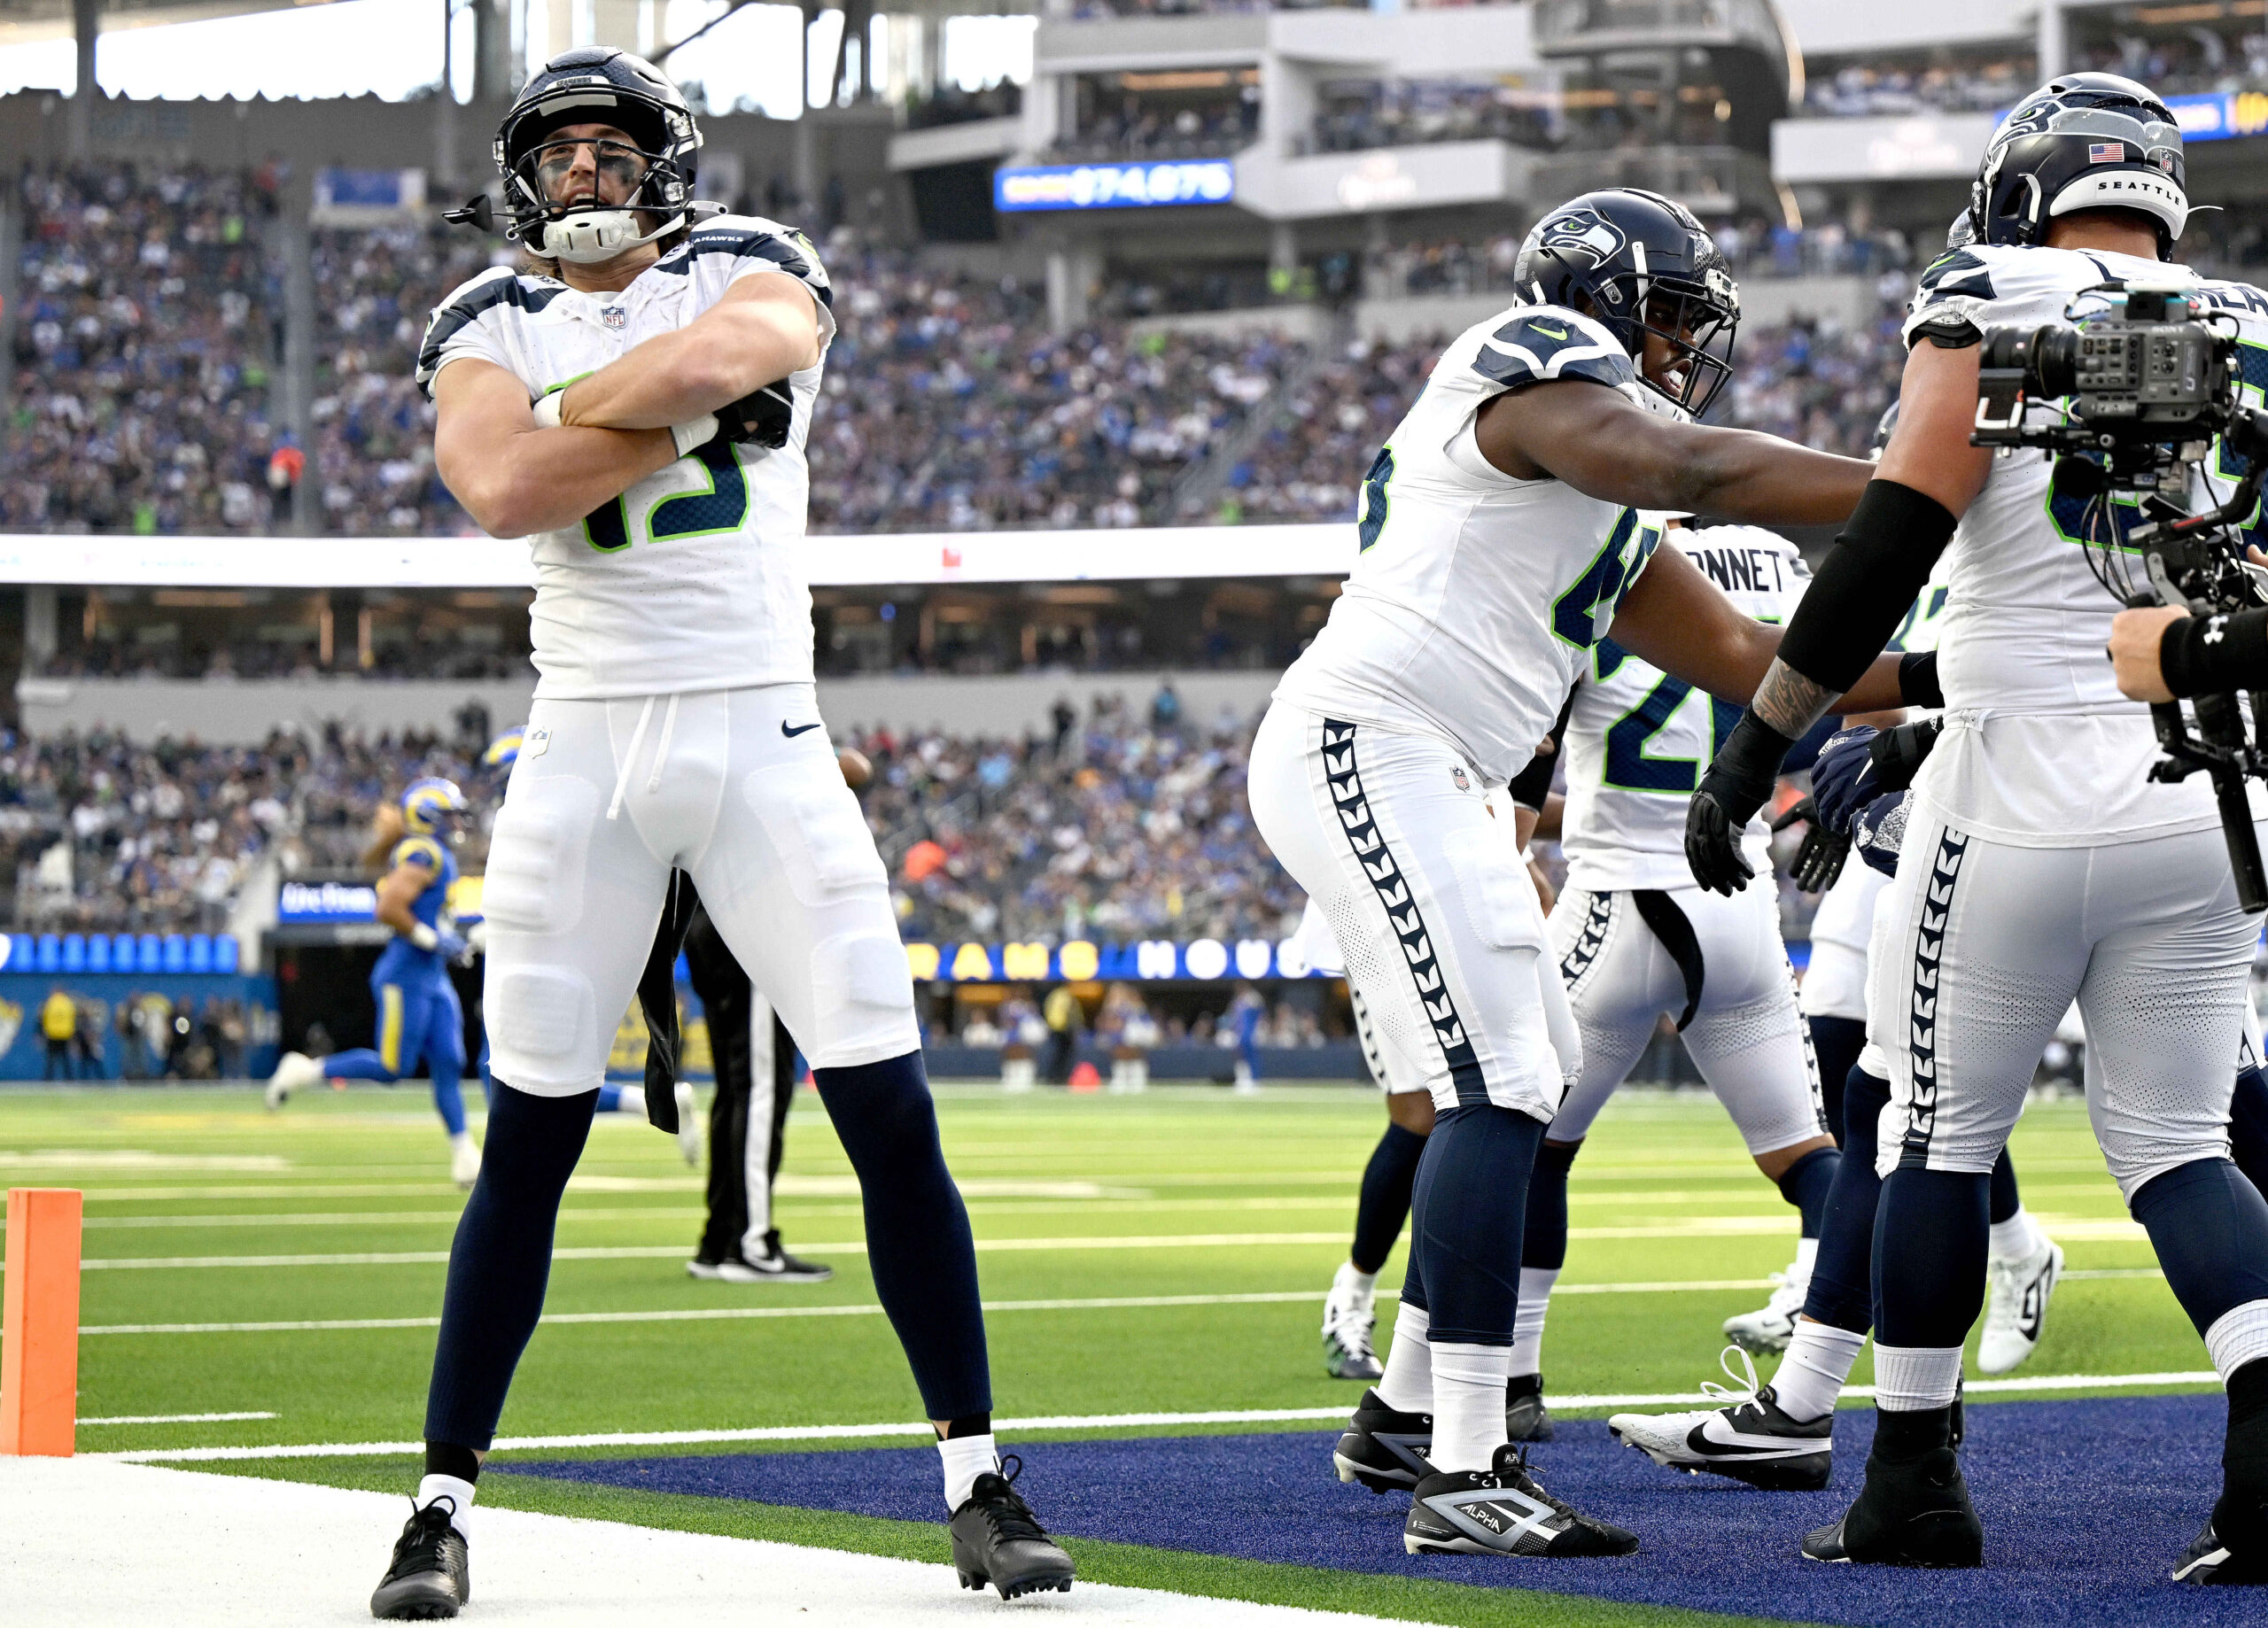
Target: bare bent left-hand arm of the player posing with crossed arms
[(518, 480)]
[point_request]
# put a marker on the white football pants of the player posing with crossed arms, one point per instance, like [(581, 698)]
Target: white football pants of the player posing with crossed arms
[(768, 831)]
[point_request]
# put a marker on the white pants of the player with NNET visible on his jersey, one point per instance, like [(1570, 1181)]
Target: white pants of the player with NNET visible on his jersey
[(1747, 1040)]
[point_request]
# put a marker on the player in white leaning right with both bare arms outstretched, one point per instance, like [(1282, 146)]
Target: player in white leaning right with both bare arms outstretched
[(1500, 539)]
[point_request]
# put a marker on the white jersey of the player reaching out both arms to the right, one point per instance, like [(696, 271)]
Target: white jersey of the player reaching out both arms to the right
[(1478, 597)]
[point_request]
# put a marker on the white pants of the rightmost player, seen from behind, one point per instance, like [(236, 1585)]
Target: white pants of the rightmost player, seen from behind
[(1981, 951)]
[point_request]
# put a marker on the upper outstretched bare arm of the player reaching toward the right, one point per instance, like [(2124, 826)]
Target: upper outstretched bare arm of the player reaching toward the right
[(1609, 448)]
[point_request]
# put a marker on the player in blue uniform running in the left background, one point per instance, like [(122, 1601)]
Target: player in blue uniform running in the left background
[(418, 1010)]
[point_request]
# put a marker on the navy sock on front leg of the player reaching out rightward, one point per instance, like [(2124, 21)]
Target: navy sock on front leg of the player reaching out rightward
[(1466, 1221)]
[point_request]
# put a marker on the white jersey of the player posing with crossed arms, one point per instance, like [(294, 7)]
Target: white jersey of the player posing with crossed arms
[(695, 577)]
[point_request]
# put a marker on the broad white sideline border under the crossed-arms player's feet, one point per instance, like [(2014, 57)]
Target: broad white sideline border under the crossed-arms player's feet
[(217, 1552)]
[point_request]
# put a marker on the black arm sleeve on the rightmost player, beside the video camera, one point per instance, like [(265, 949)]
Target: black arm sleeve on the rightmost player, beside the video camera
[(1870, 577)]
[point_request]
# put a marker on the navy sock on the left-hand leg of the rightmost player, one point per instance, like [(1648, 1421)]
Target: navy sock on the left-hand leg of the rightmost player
[(1929, 1257)]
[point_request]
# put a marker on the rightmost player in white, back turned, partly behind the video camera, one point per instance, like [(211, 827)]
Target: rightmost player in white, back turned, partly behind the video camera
[(2040, 863)]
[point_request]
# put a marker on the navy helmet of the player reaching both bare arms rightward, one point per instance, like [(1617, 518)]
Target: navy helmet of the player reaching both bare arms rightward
[(1641, 264)]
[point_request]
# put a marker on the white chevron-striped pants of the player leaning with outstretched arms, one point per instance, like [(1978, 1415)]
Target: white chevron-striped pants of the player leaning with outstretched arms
[(1437, 917)]
